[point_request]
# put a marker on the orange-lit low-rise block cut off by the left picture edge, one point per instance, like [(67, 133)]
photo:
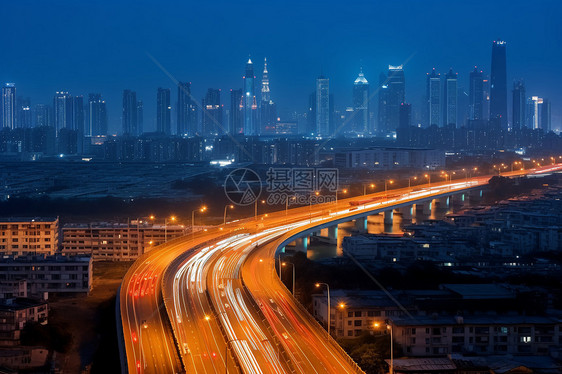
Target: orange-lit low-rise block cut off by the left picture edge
[(20, 236)]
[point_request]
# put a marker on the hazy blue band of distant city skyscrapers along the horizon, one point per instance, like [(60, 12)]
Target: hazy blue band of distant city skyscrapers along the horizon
[(452, 116)]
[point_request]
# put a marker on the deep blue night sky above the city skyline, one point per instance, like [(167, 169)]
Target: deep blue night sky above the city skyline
[(103, 46)]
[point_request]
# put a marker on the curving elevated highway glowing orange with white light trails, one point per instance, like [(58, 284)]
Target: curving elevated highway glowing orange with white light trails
[(212, 302)]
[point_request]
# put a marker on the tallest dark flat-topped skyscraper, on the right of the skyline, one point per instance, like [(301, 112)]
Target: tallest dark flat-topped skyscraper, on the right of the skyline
[(498, 88)]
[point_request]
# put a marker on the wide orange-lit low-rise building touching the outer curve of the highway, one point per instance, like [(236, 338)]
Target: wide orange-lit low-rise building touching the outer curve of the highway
[(116, 241)]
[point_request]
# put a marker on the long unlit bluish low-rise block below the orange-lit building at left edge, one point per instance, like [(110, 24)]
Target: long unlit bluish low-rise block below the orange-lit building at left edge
[(49, 274)]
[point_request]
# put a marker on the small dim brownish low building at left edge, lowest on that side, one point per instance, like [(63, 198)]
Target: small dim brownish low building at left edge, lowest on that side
[(15, 314)]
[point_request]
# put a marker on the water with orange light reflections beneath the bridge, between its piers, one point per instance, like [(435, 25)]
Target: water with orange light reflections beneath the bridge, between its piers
[(375, 225)]
